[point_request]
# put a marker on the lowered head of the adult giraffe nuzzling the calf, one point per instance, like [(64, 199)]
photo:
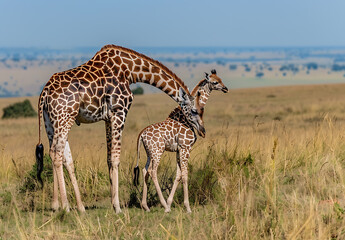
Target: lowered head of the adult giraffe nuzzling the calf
[(193, 111)]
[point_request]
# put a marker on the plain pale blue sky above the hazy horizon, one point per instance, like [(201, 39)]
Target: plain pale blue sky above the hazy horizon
[(68, 23)]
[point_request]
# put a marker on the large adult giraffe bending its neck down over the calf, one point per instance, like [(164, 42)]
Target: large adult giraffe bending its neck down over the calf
[(99, 90)]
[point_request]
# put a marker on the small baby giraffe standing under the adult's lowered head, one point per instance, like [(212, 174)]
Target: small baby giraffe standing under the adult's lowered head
[(175, 134)]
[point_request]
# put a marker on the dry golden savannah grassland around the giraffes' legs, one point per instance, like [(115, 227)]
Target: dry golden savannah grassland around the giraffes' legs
[(271, 167)]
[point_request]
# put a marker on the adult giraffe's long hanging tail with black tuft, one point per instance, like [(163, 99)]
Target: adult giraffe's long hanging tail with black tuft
[(39, 146)]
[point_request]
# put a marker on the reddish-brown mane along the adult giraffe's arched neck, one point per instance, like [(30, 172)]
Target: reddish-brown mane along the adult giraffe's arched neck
[(151, 60)]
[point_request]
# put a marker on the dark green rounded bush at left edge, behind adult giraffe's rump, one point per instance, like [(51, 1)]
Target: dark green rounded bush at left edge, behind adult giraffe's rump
[(17, 110)]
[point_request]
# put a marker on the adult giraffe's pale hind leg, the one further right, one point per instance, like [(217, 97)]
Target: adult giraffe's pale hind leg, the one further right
[(68, 163)]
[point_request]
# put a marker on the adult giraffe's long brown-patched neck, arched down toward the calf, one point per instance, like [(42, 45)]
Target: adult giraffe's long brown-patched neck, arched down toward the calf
[(128, 65)]
